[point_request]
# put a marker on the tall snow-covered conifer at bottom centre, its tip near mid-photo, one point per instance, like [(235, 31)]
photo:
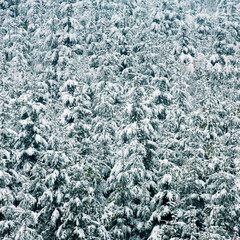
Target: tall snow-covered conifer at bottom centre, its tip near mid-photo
[(130, 180)]
